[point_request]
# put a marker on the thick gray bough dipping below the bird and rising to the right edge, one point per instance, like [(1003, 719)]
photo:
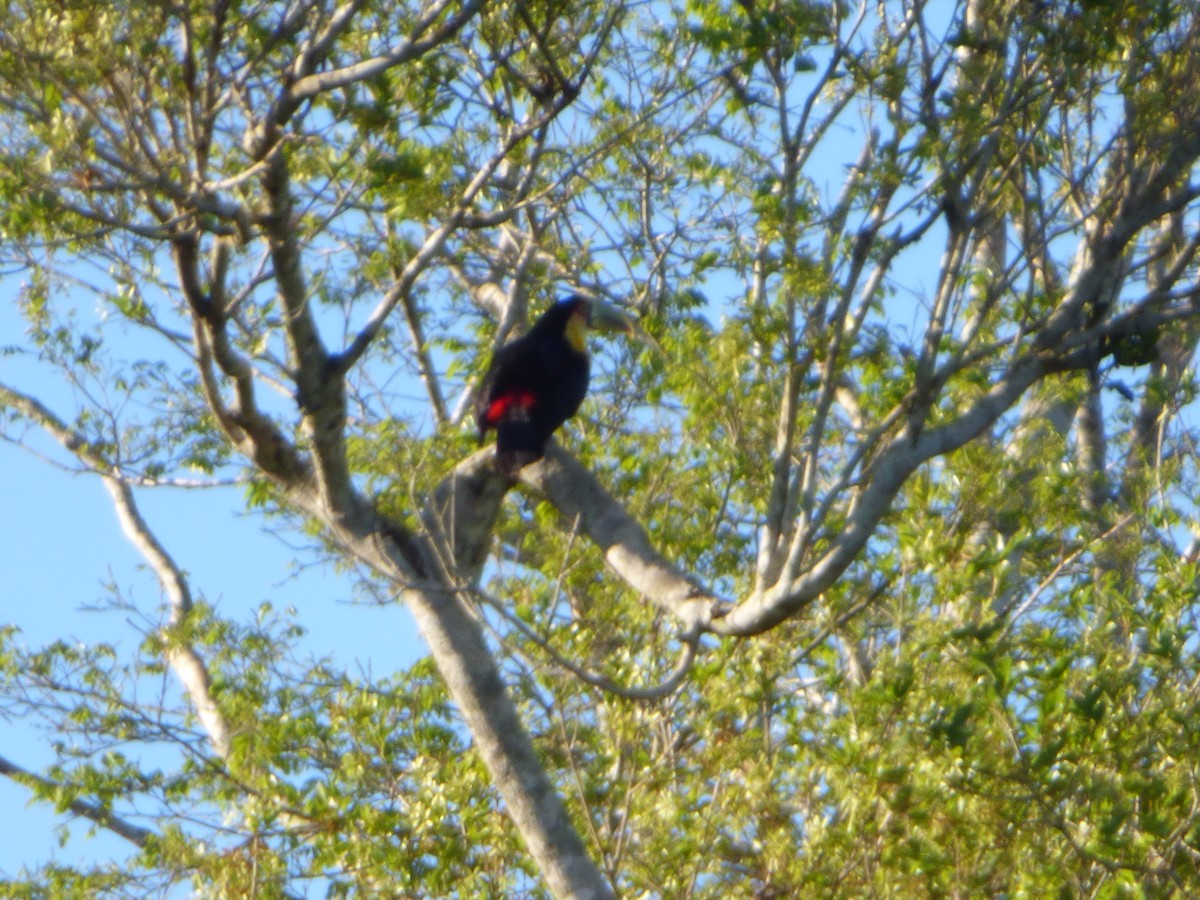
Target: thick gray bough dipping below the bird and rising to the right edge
[(1063, 344)]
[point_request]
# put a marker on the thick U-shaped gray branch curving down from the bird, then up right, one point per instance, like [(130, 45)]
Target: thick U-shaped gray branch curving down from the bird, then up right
[(1066, 341)]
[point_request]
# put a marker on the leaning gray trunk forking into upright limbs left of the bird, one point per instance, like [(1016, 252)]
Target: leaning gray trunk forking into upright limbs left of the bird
[(431, 571)]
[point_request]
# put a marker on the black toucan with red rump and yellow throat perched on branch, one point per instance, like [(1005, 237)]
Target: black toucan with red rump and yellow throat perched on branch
[(537, 382)]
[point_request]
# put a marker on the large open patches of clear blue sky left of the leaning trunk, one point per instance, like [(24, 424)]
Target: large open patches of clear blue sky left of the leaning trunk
[(63, 545)]
